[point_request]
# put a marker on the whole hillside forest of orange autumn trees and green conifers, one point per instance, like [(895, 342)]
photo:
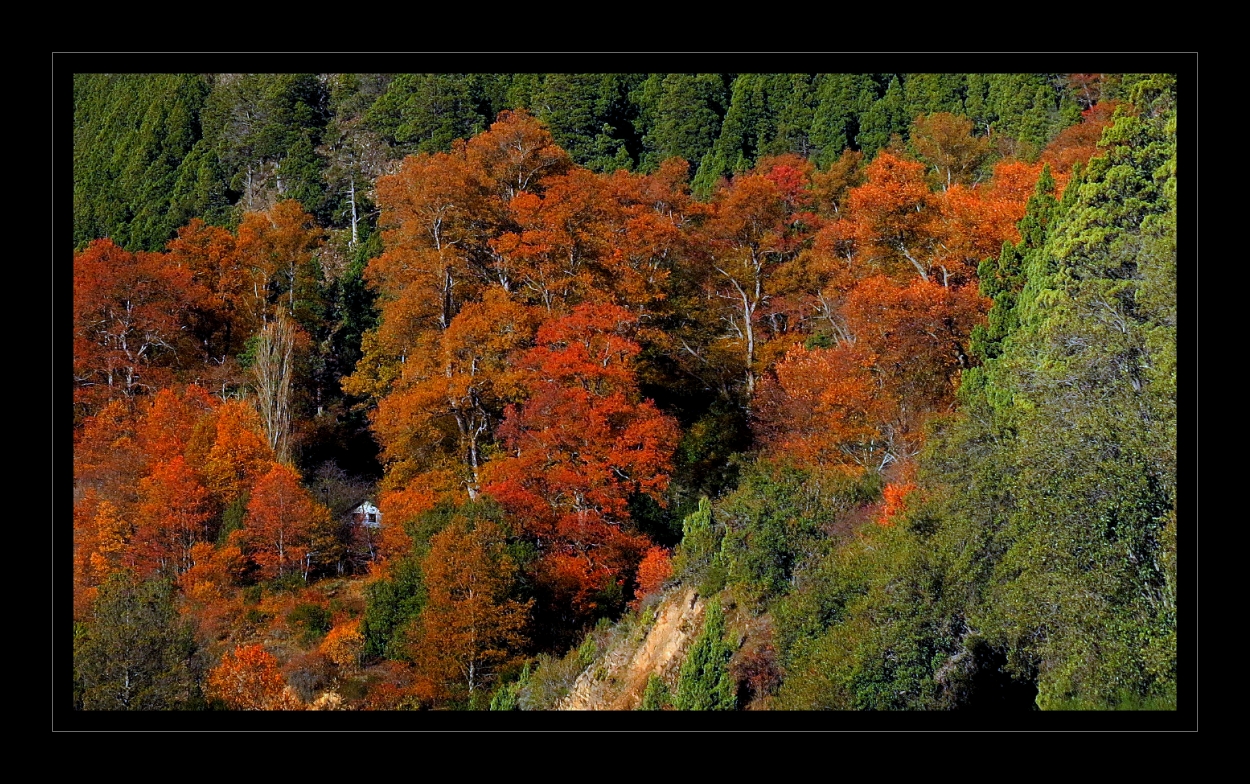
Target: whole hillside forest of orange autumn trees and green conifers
[(671, 392)]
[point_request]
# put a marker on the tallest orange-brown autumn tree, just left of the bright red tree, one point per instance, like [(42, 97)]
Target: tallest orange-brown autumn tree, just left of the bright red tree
[(442, 216)]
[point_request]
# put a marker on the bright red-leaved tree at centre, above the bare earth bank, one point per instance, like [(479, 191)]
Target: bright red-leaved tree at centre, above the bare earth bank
[(578, 450)]
